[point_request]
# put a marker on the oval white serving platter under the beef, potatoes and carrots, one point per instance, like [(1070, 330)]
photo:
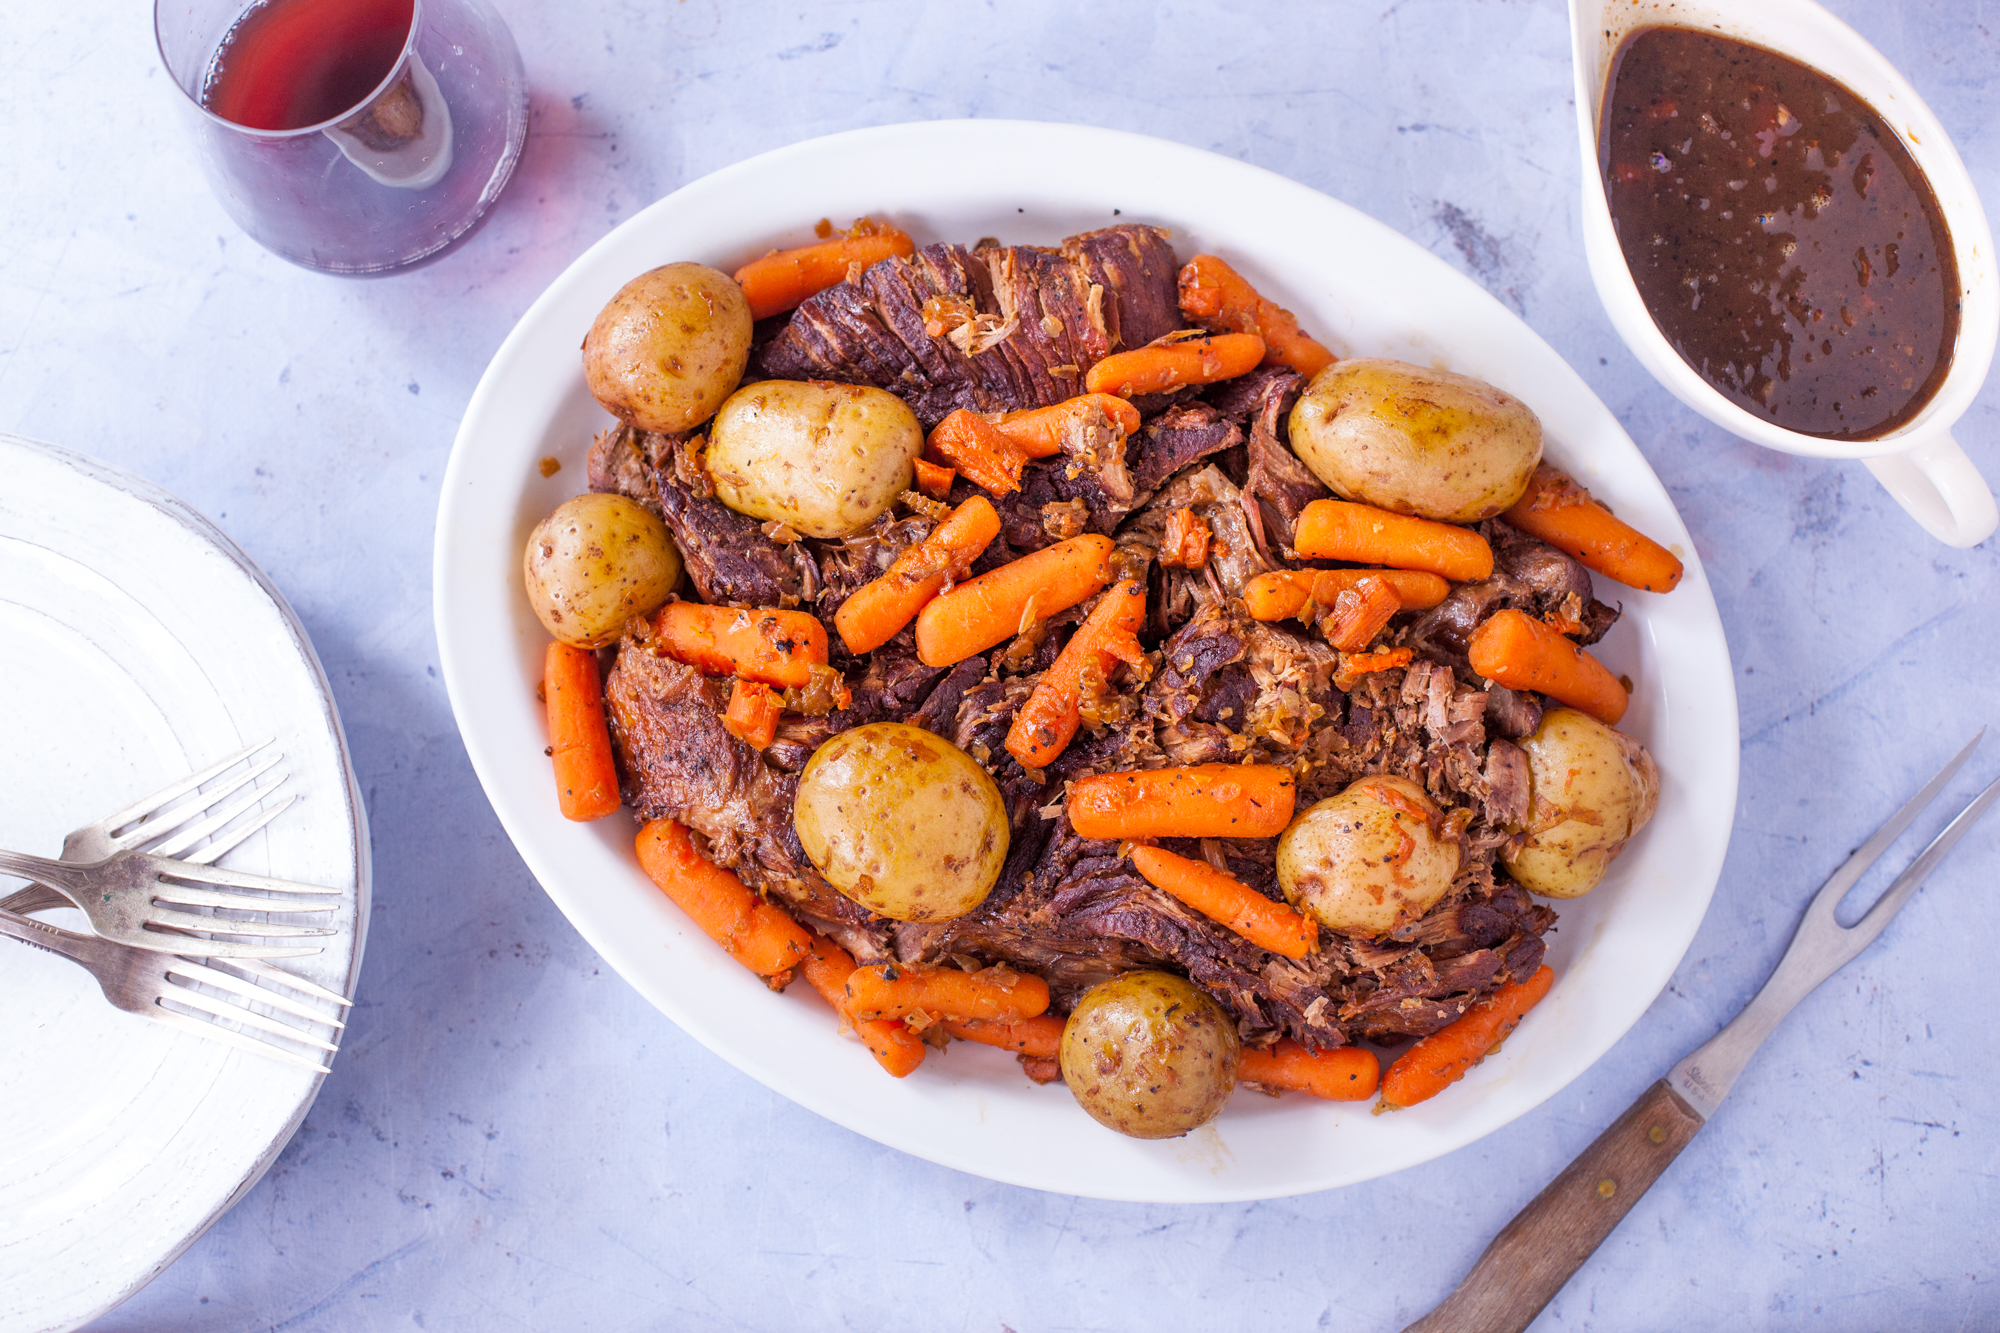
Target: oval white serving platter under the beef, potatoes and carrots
[(1355, 283)]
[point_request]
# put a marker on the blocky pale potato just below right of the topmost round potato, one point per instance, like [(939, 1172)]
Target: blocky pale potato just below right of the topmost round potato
[(821, 459)]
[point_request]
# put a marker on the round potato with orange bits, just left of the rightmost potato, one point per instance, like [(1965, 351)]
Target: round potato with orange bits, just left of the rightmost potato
[(1369, 860)]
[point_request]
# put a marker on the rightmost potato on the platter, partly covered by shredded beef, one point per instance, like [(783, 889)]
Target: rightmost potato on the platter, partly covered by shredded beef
[(1591, 788)]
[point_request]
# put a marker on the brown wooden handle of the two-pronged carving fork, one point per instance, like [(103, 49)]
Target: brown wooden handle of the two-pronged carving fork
[(1549, 1240)]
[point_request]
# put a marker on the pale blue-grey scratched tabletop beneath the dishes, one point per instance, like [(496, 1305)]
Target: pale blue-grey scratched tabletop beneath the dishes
[(513, 1138)]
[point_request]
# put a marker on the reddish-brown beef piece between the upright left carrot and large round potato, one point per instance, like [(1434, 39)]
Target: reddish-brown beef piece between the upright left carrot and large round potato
[(677, 762)]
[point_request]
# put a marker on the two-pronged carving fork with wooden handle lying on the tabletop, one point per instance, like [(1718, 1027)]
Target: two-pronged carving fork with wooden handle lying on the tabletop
[(1549, 1240)]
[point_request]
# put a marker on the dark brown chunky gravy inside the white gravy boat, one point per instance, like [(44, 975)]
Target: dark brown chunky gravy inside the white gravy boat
[(1779, 231)]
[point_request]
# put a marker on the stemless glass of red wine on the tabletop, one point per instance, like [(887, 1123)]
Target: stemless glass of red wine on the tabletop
[(395, 177)]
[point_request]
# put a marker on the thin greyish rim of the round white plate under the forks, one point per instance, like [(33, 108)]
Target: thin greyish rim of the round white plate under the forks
[(185, 515)]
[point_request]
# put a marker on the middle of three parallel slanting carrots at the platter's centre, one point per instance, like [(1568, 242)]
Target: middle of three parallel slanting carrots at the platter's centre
[(1011, 599)]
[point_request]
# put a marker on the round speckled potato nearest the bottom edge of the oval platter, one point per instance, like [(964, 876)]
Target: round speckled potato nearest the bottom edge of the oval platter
[(1151, 1056)]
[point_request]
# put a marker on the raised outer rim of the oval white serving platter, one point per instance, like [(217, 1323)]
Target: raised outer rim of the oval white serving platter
[(461, 686)]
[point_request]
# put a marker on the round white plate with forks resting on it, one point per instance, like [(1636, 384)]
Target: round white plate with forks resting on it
[(137, 645)]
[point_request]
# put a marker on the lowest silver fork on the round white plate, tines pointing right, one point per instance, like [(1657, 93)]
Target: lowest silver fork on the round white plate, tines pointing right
[(145, 982)]
